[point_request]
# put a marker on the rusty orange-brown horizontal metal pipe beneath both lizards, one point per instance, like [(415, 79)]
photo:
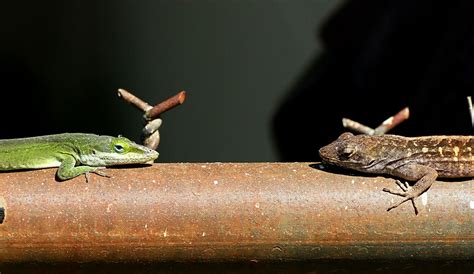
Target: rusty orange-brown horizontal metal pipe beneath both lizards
[(227, 212)]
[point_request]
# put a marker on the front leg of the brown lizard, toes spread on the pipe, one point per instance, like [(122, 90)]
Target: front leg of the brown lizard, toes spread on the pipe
[(424, 177)]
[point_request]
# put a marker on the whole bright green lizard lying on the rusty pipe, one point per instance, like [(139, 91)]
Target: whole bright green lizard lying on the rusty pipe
[(73, 153)]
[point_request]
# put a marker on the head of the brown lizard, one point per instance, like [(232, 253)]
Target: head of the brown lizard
[(348, 151)]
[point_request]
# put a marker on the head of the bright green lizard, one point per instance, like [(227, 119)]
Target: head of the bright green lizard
[(107, 151)]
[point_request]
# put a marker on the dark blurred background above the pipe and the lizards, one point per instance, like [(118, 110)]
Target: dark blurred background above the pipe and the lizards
[(266, 80)]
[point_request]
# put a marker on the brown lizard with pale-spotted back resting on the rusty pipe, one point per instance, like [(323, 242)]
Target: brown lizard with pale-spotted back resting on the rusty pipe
[(420, 159)]
